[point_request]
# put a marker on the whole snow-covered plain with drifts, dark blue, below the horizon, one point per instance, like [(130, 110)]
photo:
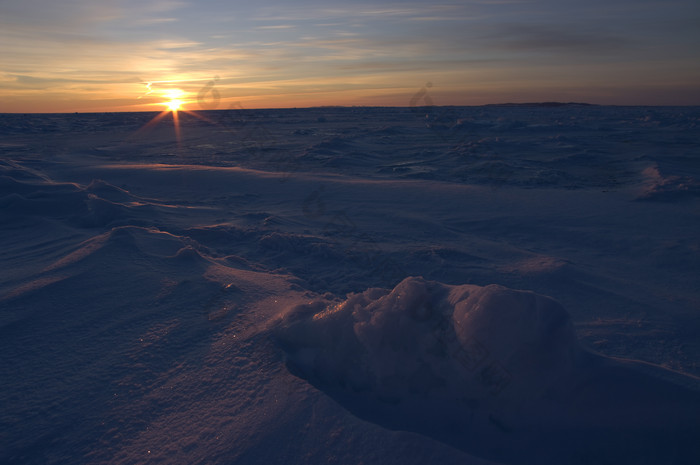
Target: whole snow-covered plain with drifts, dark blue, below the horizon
[(342, 286)]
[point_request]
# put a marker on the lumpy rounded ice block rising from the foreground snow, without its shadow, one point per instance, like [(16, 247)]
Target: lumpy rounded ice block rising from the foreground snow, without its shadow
[(427, 338)]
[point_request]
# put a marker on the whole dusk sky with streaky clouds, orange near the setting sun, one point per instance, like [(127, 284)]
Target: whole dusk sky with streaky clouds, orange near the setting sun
[(138, 55)]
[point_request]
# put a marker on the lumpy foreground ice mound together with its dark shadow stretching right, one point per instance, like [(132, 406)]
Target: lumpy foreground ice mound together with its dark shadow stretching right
[(493, 371)]
